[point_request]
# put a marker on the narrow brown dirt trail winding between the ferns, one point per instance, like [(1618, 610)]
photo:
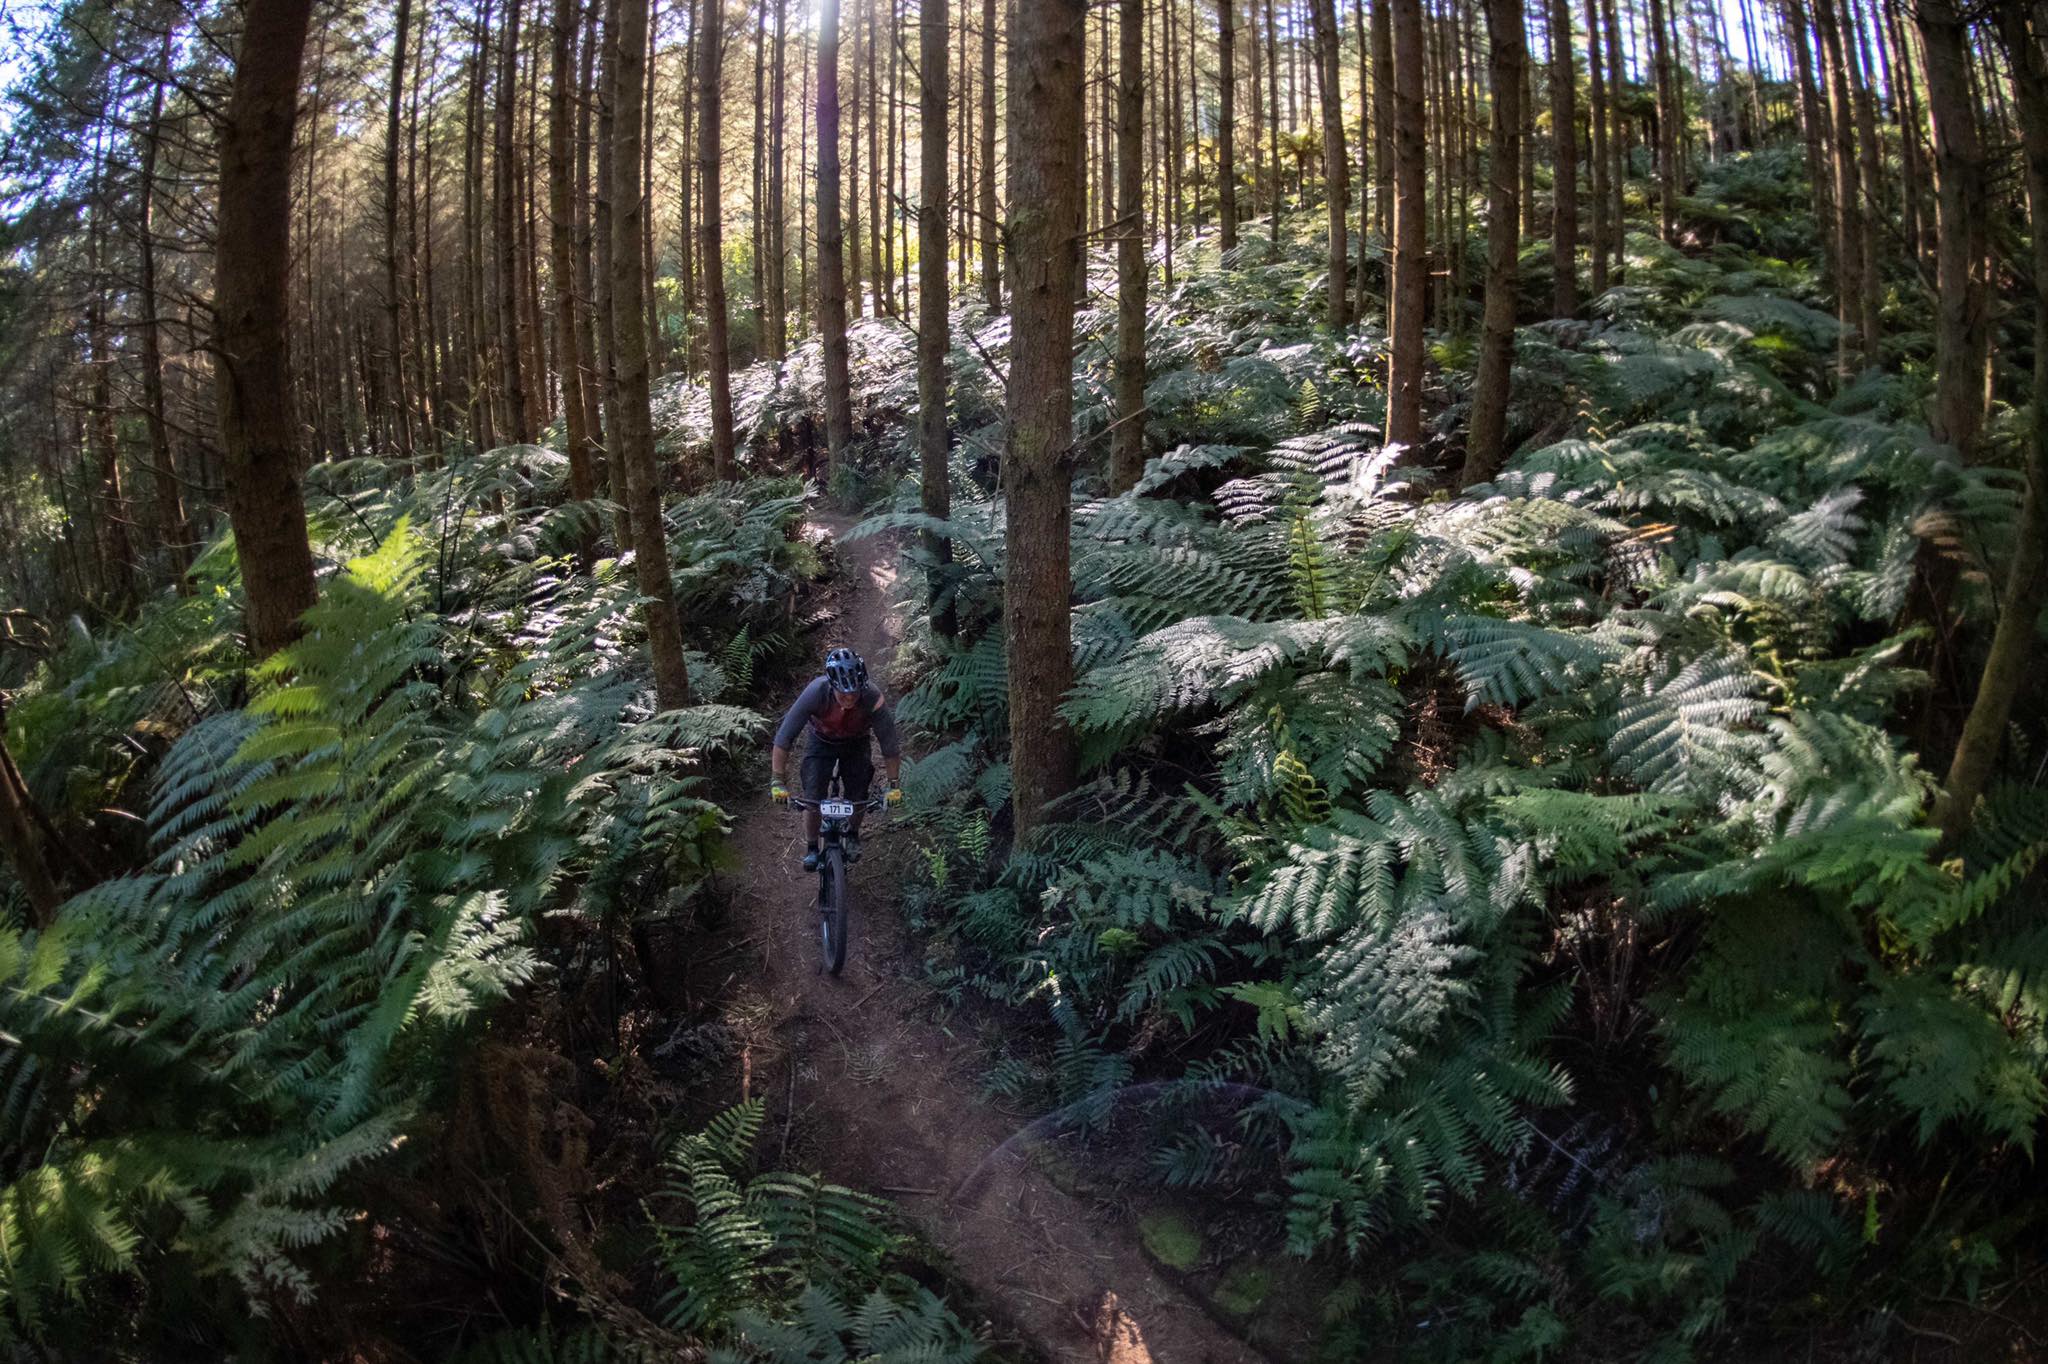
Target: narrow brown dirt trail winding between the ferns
[(876, 1095)]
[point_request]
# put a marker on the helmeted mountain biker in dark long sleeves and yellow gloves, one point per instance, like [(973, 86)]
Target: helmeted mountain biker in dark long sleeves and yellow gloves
[(841, 708)]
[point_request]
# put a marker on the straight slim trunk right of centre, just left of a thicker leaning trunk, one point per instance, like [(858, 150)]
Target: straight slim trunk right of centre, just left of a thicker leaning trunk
[(1410, 265)]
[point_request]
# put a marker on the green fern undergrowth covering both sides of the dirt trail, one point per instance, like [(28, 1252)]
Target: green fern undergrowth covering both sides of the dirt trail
[(1519, 900)]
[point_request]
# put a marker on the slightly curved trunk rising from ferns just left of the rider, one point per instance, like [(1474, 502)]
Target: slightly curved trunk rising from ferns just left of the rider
[(634, 439)]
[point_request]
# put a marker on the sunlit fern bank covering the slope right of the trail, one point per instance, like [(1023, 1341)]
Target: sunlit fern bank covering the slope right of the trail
[(1535, 878)]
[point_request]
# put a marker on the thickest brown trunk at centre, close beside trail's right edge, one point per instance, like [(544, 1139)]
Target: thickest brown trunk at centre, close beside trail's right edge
[(1046, 216)]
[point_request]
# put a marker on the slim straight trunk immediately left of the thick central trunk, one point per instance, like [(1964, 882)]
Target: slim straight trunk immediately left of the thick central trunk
[(933, 325)]
